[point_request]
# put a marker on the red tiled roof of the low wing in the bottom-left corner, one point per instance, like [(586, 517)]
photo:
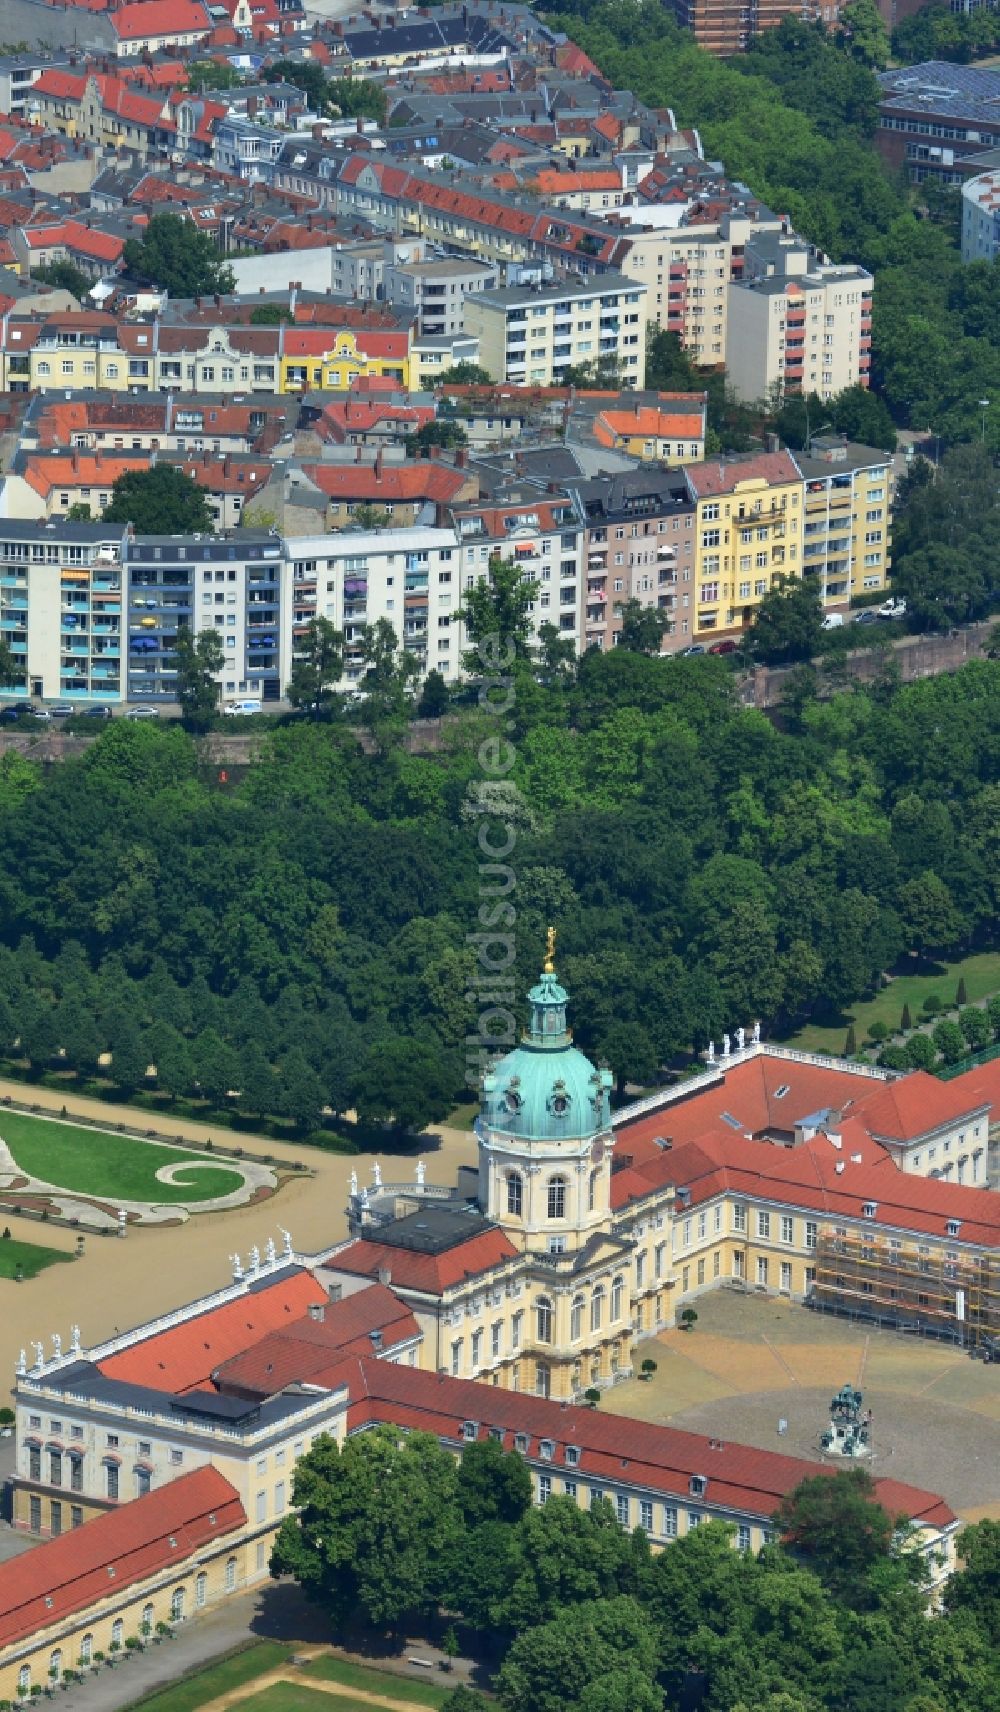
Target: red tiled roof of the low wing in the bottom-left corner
[(116, 1552)]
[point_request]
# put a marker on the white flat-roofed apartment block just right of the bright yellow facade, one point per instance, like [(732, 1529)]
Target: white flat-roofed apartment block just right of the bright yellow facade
[(532, 335)]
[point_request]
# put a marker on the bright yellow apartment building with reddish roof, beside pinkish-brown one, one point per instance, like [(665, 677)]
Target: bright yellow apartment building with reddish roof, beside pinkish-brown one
[(749, 516)]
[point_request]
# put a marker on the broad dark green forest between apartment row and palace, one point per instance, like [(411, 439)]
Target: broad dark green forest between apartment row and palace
[(304, 934)]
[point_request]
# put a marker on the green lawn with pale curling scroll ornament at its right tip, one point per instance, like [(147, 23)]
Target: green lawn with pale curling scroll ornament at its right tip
[(109, 1167)]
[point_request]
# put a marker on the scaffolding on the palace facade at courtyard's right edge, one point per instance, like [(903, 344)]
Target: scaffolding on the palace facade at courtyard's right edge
[(910, 1287)]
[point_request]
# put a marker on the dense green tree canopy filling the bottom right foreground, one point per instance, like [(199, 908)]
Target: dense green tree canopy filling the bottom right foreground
[(576, 1615)]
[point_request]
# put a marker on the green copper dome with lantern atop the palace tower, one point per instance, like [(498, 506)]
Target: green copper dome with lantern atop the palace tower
[(547, 1090)]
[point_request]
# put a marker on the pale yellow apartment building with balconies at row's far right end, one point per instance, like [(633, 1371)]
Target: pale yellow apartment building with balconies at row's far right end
[(847, 520)]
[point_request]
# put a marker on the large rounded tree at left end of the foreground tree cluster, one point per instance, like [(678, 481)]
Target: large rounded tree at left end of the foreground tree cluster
[(376, 1528)]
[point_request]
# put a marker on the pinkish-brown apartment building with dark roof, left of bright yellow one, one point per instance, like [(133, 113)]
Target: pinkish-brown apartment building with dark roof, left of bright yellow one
[(640, 547)]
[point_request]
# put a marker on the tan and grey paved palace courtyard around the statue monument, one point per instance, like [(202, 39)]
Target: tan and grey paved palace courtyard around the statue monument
[(753, 1362)]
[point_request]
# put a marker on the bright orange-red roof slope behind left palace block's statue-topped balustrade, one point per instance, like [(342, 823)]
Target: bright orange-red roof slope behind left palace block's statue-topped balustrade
[(184, 1357)]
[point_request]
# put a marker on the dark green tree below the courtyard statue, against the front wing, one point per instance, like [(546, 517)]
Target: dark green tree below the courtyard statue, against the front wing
[(836, 1526)]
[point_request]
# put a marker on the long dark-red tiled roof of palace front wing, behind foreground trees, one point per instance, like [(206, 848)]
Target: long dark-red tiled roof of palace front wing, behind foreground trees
[(612, 1449)]
